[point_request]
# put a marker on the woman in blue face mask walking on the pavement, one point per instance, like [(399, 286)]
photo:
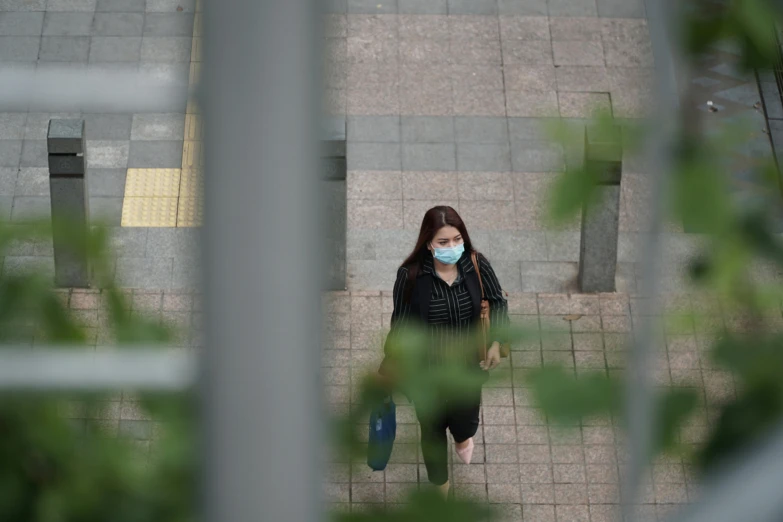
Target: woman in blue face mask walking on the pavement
[(437, 287)]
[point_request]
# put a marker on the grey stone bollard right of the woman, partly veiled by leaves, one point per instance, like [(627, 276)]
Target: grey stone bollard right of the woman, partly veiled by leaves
[(598, 247)]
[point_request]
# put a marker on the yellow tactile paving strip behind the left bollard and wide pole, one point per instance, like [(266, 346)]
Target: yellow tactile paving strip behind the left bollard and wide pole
[(172, 197)]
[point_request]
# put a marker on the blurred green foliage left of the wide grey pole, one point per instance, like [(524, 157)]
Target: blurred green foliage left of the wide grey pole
[(54, 468)]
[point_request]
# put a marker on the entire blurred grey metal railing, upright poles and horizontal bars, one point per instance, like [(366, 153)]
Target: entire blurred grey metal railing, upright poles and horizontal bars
[(258, 372)]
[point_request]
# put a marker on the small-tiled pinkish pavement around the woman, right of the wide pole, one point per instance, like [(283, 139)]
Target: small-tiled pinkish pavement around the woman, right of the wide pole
[(529, 471)]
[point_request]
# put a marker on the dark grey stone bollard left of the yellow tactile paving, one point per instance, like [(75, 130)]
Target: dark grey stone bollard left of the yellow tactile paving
[(70, 207)]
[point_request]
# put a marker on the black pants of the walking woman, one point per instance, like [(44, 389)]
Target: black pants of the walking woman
[(461, 418)]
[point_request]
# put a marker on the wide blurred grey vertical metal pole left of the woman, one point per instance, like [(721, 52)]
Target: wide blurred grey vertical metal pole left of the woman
[(261, 389)]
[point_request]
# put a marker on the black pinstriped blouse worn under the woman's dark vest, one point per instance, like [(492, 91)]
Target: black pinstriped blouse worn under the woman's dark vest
[(451, 310)]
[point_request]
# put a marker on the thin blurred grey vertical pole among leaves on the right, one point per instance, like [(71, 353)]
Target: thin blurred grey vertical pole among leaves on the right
[(640, 396)]
